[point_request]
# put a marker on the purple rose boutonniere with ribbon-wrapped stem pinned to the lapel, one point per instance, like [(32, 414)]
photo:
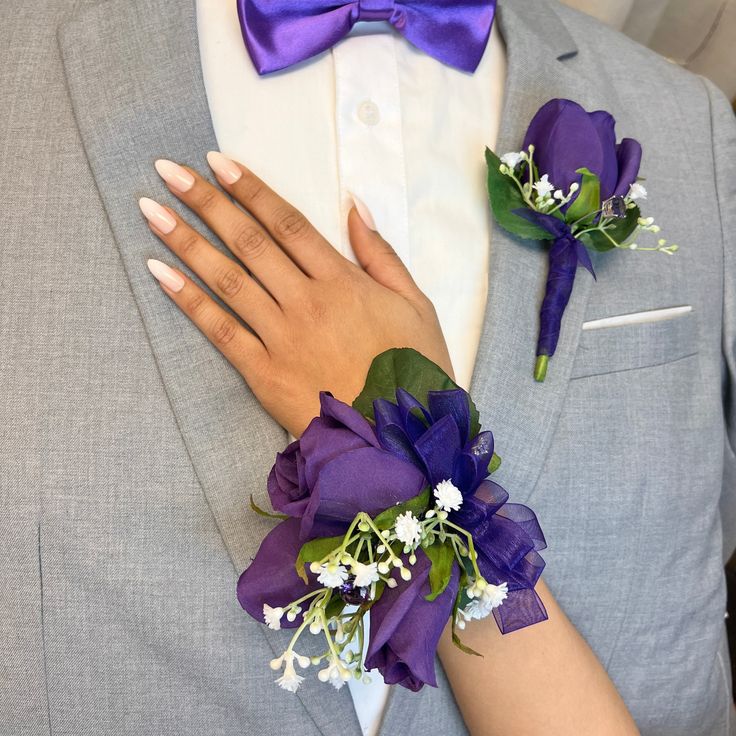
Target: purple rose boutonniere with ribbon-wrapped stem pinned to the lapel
[(572, 185)]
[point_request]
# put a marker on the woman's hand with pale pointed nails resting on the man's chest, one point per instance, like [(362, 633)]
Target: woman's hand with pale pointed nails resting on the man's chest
[(316, 319)]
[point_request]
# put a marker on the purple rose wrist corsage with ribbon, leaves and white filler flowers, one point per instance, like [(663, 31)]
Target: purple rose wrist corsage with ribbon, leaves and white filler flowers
[(387, 512)]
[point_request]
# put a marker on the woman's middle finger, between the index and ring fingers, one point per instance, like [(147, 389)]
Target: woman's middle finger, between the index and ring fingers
[(243, 235)]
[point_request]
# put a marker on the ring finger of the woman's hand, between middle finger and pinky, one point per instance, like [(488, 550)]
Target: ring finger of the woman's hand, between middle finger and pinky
[(223, 275)]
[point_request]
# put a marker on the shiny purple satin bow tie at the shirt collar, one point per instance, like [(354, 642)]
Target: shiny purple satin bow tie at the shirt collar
[(279, 33)]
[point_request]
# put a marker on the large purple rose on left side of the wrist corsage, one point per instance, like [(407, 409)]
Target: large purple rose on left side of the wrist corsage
[(322, 481)]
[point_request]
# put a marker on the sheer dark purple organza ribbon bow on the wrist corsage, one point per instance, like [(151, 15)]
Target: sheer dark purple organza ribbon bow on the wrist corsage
[(507, 536)]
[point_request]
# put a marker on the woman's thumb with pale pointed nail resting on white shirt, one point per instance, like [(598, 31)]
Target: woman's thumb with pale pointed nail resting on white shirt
[(377, 258)]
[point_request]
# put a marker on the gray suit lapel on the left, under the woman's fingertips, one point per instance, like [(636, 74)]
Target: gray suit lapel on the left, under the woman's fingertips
[(135, 80)]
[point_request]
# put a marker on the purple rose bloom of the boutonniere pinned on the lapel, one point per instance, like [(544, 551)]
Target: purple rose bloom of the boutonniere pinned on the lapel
[(566, 138)]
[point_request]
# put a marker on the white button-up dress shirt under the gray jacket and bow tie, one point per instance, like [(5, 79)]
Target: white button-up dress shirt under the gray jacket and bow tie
[(376, 117)]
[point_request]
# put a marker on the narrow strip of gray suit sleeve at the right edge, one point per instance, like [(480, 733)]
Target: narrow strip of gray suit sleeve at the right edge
[(724, 156)]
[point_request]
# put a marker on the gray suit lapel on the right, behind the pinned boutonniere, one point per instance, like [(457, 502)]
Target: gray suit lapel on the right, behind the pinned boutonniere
[(522, 413)]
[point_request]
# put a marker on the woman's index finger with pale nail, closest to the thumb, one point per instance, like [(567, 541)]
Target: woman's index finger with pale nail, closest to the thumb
[(286, 225)]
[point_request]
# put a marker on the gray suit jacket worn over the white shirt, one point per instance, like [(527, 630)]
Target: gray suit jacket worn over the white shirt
[(129, 447)]
